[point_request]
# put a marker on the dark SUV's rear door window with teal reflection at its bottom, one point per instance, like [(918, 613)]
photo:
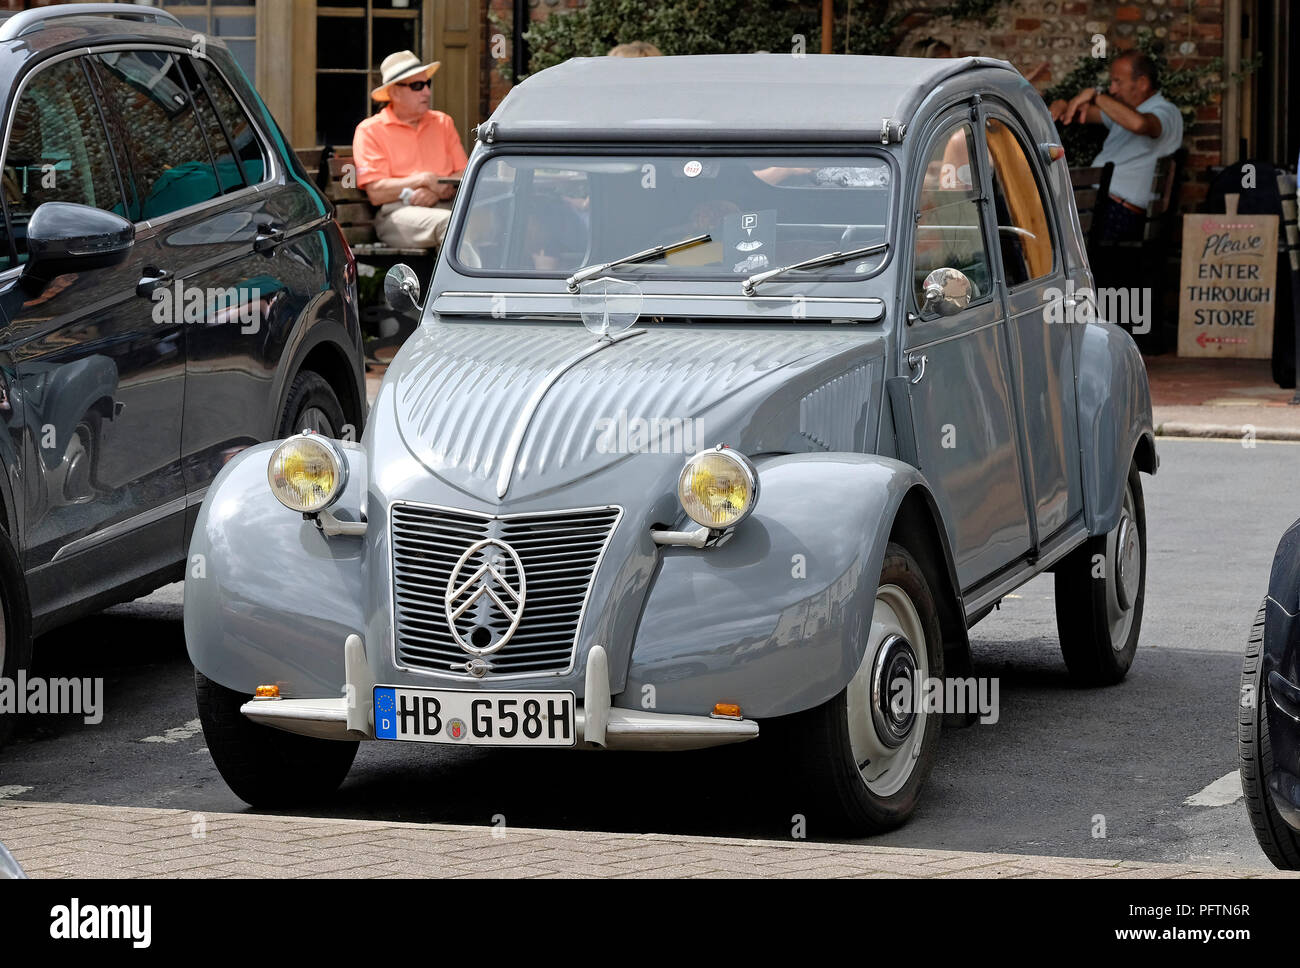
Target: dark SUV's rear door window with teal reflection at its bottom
[(171, 162)]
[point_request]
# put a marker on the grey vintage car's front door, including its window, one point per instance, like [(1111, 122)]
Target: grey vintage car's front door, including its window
[(961, 392)]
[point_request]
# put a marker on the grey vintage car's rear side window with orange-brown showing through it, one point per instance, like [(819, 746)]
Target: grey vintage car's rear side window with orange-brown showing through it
[(1022, 223)]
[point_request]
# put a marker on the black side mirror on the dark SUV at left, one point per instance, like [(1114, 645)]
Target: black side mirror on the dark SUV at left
[(68, 238)]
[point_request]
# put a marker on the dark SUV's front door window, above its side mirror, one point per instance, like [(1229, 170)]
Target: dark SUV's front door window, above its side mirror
[(58, 150)]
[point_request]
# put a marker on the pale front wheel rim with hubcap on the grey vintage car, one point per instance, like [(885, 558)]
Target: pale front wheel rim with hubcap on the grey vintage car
[(887, 769)]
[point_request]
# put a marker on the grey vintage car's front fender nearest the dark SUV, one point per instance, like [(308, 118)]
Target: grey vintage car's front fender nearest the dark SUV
[(252, 563)]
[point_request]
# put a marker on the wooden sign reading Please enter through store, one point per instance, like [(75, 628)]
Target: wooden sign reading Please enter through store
[(1228, 289)]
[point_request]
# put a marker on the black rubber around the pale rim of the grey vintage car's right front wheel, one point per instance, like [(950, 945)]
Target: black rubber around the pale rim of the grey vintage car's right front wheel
[(817, 750)]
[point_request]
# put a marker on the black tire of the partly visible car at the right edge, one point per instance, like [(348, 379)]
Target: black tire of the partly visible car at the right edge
[(1281, 844)]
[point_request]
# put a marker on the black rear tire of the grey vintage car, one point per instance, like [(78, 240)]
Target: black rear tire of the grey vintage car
[(1087, 596)]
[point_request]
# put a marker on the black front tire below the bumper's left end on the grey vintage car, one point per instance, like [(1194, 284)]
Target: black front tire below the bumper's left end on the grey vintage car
[(267, 767)]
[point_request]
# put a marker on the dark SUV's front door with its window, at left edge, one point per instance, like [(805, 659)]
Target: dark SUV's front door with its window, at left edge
[(98, 380)]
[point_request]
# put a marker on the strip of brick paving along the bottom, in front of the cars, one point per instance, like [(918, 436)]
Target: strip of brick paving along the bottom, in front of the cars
[(62, 840)]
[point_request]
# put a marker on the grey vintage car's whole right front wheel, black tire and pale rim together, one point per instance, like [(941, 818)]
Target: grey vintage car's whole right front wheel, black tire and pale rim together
[(861, 759)]
